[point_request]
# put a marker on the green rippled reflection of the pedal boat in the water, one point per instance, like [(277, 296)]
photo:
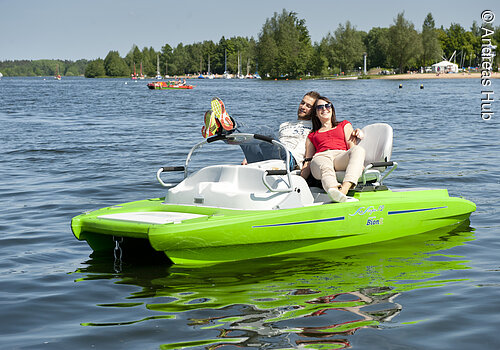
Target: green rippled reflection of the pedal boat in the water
[(315, 300)]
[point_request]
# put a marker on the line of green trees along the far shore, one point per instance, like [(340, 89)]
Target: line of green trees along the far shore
[(284, 48)]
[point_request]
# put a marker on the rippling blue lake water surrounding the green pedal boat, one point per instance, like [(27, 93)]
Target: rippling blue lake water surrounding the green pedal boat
[(78, 144)]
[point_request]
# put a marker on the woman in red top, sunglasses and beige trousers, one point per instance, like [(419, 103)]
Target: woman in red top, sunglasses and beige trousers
[(331, 146)]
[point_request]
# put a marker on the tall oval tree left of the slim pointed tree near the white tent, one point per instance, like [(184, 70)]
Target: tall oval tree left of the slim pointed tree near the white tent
[(404, 43)]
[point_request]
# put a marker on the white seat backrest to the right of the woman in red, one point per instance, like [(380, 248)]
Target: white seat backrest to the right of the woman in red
[(377, 142)]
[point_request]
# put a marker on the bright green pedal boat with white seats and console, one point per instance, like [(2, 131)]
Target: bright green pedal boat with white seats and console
[(224, 213)]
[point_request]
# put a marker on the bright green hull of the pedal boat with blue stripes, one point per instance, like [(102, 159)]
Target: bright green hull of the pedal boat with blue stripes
[(194, 235)]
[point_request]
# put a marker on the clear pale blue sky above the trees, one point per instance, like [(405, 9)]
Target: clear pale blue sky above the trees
[(88, 29)]
